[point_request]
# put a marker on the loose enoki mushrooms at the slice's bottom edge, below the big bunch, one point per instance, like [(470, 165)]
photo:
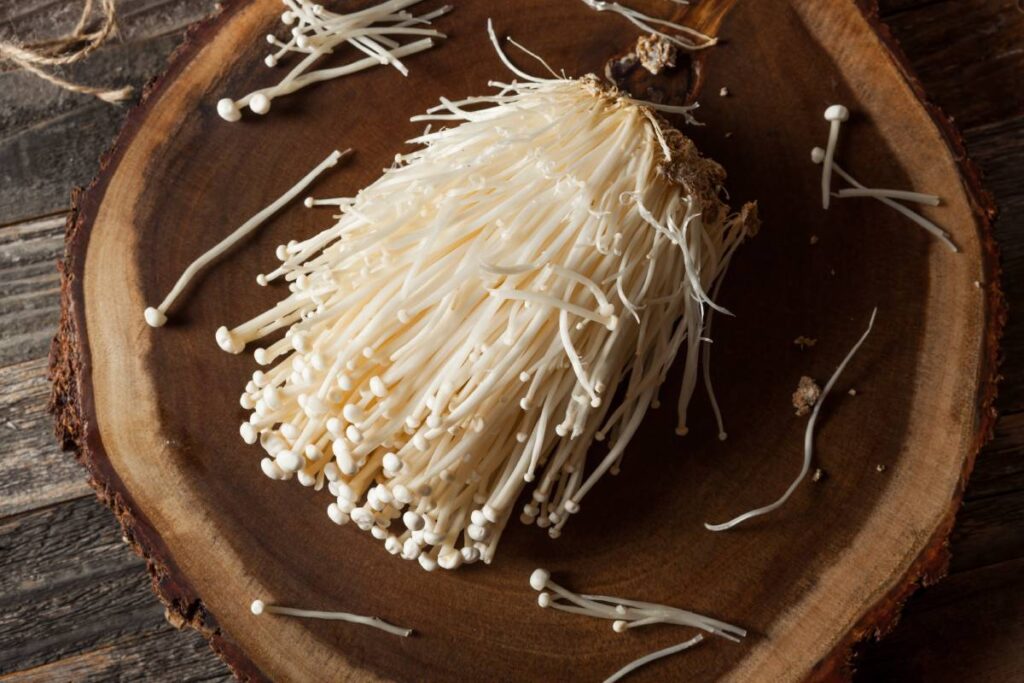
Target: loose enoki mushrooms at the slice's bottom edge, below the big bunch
[(626, 615)]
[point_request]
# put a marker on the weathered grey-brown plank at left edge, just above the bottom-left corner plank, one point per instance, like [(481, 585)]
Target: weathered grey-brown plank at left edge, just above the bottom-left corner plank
[(34, 473)]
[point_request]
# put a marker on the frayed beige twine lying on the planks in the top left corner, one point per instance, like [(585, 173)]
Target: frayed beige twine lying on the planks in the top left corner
[(68, 50)]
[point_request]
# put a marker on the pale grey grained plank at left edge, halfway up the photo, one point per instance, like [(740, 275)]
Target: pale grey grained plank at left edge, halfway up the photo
[(30, 289)]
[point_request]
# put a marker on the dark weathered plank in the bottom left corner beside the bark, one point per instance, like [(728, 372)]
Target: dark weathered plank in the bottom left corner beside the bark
[(70, 586)]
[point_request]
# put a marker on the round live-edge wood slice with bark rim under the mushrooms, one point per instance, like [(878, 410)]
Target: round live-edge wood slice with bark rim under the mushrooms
[(153, 414)]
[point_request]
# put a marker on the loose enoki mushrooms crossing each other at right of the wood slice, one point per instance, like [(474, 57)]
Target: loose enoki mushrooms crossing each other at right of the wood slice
[(836, 115)]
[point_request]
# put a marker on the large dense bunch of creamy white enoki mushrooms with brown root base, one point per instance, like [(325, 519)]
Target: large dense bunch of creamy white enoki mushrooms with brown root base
[(463, 329)]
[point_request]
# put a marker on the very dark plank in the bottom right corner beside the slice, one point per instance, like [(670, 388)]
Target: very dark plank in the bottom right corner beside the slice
[(970, 628)]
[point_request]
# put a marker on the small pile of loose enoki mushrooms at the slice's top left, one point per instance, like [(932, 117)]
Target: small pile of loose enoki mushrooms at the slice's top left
[(317, 32)]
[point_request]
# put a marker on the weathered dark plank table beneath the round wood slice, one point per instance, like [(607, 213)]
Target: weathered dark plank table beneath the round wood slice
[(75, 603)]
